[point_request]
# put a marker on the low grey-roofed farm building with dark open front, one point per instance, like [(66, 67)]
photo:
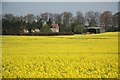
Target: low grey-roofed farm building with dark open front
[(94, 30)]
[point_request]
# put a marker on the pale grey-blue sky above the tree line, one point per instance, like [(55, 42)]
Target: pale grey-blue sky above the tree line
[(23, 8)]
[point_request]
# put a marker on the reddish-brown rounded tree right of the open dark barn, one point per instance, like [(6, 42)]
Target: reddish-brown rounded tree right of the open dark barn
[(106, 20)]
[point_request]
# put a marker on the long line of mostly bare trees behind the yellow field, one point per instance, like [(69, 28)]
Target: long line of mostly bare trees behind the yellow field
[(67, 22)]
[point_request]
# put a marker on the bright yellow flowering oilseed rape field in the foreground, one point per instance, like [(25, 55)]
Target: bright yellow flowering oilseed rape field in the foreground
[(73, 56)]
